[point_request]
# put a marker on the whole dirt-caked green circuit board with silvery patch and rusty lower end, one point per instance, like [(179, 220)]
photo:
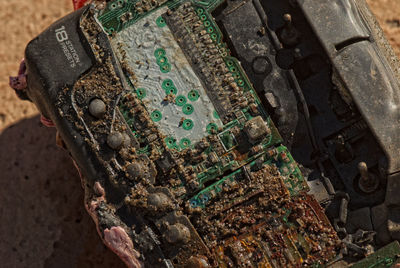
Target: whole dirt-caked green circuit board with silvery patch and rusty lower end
[(195, 115)]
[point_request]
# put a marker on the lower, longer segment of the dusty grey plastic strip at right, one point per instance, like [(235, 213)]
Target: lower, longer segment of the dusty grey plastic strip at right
[(375, 92)]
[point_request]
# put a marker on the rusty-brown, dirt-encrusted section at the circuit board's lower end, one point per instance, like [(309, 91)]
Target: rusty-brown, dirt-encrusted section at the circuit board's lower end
[(260, 213)]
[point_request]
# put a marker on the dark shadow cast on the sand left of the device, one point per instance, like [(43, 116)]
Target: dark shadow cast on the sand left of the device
[(43, 220)]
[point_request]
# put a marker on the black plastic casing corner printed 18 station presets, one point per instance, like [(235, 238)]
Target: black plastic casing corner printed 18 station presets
[(55, 60)]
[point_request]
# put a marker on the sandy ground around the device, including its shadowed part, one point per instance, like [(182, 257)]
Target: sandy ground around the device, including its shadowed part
[(43, 221)]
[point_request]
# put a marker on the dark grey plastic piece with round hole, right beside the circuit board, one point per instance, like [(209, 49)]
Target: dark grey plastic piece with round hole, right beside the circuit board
[(250, 48)]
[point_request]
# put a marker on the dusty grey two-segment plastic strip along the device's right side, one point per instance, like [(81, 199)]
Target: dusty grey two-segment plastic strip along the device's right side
[(364, 70)]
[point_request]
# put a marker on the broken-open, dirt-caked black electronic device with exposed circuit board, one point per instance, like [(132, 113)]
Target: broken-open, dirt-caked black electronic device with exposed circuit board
[(215, 133)]
